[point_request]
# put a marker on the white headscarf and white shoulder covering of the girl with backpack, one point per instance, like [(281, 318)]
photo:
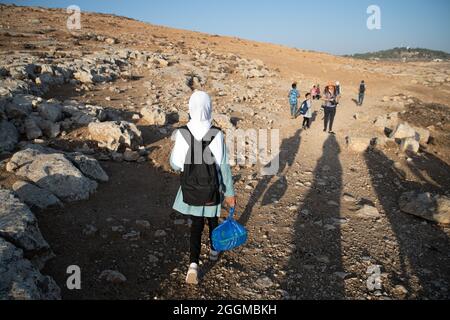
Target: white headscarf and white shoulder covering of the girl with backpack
[(200, 111)]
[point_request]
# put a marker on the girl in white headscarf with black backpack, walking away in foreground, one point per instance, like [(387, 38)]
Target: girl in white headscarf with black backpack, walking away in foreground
[(206, 180)]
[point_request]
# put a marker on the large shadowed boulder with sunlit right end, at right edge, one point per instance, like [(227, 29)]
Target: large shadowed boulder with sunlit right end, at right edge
[(426, 206)]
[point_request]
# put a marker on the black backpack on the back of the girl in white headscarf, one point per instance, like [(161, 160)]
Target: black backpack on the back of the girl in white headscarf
[(200, 179)]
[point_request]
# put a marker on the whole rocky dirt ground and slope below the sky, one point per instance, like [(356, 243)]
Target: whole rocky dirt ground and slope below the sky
[(86, 120)]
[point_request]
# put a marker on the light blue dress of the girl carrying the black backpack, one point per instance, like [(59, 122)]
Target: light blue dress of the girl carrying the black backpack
[(227, 189)]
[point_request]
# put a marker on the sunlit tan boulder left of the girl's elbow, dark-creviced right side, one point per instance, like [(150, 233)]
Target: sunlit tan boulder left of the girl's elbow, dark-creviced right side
[(116, 136)]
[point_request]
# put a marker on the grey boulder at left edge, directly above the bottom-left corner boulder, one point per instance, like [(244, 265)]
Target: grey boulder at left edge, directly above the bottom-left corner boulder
[(18, 225)]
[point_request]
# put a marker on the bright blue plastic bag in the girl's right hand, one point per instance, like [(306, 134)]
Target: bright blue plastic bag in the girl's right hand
[(229, 235)]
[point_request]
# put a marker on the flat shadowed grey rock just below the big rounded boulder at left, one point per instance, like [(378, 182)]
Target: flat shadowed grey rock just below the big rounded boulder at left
[(34, 196)]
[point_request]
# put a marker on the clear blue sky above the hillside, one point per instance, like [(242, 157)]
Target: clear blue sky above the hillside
[(334, 26)]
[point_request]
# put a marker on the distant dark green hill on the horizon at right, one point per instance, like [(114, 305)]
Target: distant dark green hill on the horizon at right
[(411, 54)]
